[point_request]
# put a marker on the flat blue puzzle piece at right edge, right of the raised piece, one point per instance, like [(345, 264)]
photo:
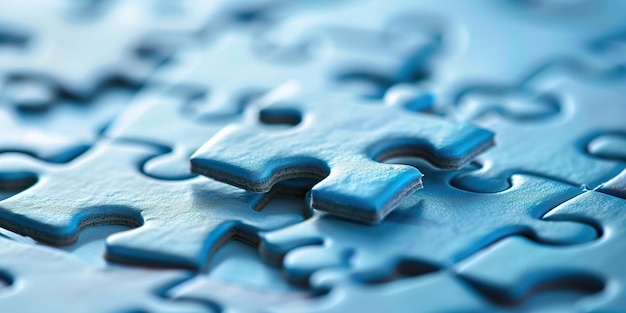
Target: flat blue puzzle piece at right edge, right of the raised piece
[(553, 147)]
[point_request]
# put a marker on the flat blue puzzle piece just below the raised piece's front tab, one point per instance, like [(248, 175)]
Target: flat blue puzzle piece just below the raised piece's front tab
[(440, 224)]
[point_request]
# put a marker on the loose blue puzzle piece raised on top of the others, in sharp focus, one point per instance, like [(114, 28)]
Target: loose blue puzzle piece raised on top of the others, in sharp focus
[(340, 140)]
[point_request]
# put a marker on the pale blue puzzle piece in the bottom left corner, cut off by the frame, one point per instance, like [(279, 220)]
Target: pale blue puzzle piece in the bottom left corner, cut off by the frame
[(42, 279)]
